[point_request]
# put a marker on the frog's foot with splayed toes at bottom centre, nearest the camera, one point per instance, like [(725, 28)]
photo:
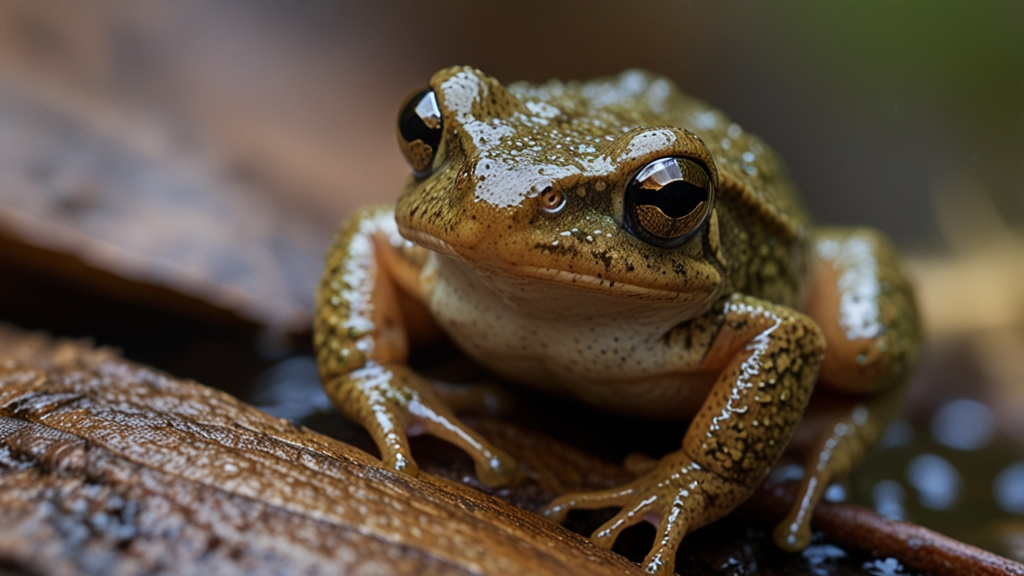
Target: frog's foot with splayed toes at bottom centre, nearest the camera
[(678, 497)]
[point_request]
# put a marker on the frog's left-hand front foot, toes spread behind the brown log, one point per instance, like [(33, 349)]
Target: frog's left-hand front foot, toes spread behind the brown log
[(392, 402)]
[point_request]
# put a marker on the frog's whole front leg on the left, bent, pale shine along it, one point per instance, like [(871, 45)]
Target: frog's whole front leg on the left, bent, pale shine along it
[(363, 346)]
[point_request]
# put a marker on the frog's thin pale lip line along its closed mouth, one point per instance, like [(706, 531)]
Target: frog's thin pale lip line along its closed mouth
[(582, 281)]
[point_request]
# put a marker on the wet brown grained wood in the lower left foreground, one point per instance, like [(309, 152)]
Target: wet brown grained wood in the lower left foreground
[(110, 467)]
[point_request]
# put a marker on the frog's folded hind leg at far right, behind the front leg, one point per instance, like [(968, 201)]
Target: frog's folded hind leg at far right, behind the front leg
[(865, 307)]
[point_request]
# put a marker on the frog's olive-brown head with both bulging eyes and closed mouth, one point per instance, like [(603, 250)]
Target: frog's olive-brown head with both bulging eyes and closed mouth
[(575, 184)]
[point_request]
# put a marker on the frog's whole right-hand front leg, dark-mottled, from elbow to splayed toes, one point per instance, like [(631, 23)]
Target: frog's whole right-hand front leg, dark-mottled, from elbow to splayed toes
[(767, 359)]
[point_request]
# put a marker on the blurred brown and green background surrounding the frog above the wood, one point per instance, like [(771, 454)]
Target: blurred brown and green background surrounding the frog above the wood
[(194, 157)]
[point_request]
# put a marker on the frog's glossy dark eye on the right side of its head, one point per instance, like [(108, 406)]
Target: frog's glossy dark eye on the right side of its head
[(668, 201)]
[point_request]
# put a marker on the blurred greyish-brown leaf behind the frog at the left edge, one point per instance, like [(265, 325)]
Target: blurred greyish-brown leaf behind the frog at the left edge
[(91, 194)]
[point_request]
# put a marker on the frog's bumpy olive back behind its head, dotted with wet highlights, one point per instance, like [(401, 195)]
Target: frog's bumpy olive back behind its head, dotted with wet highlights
[(764, 226)]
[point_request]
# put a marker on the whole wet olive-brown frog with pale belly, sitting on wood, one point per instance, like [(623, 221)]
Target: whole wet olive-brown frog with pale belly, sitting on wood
[(629, 246)]
